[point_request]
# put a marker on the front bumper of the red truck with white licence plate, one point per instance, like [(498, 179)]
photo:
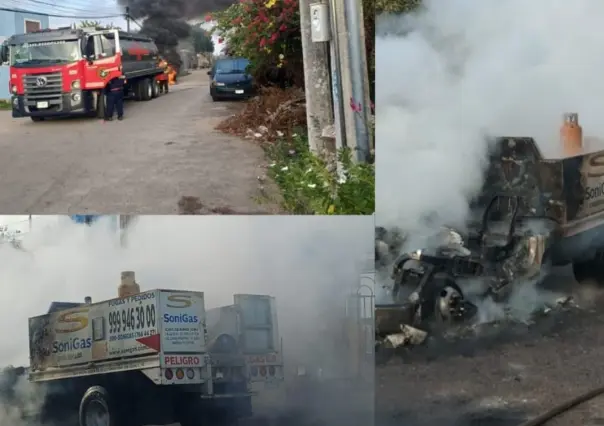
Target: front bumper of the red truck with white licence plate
[(67, 104)]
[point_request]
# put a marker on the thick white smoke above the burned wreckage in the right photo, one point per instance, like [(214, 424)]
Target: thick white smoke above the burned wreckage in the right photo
[(465, 68)]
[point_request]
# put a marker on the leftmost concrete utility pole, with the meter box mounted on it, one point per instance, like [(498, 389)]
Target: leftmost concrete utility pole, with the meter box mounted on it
[(317, 87)]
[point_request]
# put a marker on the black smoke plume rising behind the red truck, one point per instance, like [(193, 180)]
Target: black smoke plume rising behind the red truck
[(165, 21)]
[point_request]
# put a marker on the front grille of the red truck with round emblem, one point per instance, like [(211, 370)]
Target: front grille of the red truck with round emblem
[(46, 87)]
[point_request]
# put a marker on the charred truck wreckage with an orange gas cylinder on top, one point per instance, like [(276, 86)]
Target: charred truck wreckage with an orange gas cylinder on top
[(532, 213)]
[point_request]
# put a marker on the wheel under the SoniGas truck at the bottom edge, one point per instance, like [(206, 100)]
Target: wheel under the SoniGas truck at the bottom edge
[(97, 408)]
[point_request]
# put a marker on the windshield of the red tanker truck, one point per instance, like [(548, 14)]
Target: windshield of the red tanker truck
[(32, 54)]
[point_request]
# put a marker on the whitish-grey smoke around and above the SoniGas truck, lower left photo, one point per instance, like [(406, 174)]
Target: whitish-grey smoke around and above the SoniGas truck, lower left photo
[(310, 264)]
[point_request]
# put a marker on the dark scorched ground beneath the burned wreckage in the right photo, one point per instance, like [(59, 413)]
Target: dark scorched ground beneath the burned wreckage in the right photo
[(504, 377)]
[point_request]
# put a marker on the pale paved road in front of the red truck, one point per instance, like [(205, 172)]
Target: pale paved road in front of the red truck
[(165, 149)]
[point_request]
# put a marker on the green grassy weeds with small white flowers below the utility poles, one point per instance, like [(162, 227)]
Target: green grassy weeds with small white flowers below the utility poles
[(311, 185)]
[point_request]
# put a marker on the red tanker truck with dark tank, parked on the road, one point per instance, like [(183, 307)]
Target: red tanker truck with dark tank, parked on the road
[(65, 71)]
